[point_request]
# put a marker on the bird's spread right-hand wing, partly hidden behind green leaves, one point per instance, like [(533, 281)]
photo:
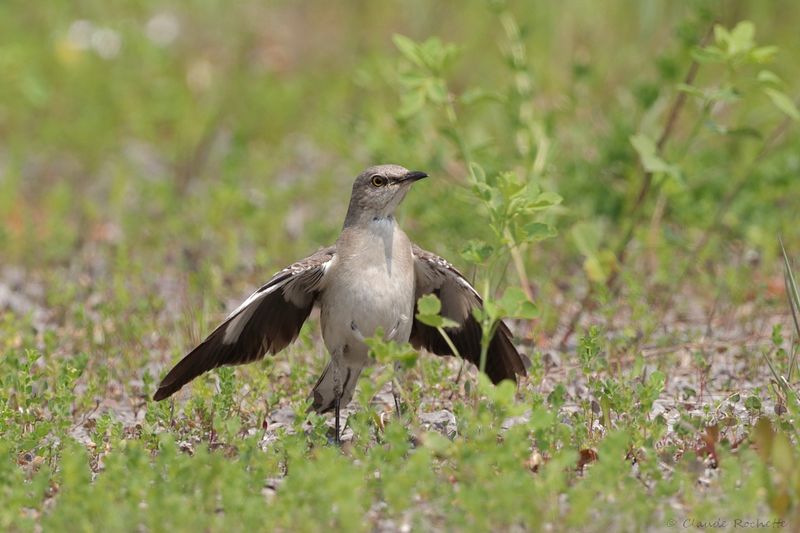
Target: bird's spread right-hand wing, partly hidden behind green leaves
[(435, 275)]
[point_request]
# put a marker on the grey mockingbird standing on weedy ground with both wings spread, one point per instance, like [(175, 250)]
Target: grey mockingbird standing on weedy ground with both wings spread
[(370, 278)]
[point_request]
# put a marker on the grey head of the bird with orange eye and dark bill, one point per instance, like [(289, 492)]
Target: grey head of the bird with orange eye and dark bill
[(378, 191)]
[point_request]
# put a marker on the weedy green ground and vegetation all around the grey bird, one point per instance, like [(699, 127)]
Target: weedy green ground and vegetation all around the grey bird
[(159, 161)]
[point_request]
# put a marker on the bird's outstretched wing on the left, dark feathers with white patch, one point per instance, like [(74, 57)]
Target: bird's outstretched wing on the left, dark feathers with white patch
[(267, 321)]
